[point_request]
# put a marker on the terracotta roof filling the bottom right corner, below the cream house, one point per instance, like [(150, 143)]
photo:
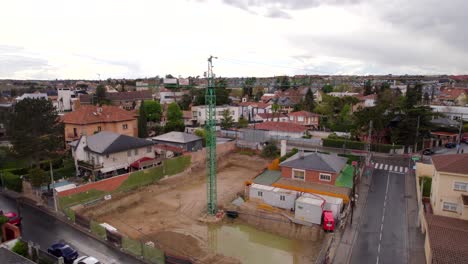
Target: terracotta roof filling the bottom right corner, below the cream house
[(448, 238)]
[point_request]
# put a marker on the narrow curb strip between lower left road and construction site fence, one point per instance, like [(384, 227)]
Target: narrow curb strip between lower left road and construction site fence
[(24, 200)]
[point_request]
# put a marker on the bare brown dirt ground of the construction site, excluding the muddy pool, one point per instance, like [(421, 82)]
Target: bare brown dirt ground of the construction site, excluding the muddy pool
[(167, 213)]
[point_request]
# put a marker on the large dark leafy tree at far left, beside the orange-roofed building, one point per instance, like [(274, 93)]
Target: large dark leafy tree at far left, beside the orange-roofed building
[(35, 129)]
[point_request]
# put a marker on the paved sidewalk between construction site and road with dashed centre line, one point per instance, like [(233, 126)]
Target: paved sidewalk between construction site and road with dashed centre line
[(345, 245)]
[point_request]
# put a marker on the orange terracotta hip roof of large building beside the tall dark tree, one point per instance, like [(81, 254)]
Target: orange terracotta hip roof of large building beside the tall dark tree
[(90, 114)]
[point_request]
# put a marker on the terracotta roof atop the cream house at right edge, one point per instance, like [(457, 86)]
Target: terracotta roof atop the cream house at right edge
[(452, 163)]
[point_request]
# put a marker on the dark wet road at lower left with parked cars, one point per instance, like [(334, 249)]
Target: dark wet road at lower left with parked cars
[(44, 230)]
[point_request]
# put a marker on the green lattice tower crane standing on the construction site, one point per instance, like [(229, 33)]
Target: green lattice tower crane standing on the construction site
[(210, 130)]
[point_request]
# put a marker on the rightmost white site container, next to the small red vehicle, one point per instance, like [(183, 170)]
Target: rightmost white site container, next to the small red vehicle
[(309, 209)]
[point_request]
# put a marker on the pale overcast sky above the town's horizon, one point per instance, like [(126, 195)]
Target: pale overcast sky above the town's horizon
[(56, 39)]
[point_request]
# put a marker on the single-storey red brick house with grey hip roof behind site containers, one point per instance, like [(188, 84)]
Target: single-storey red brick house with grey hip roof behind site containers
[(313, 167)]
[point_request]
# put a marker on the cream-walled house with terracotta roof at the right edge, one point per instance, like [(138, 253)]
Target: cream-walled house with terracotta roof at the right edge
[(449, 190)]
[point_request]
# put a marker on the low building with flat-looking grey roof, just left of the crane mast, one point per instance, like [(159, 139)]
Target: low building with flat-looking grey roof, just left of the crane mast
[(185, 141)]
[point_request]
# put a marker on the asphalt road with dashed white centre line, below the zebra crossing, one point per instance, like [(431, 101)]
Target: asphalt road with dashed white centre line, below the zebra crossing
[(383, 233)]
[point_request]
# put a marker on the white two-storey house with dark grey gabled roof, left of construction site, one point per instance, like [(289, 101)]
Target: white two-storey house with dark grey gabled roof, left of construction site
[(107, 153)]
